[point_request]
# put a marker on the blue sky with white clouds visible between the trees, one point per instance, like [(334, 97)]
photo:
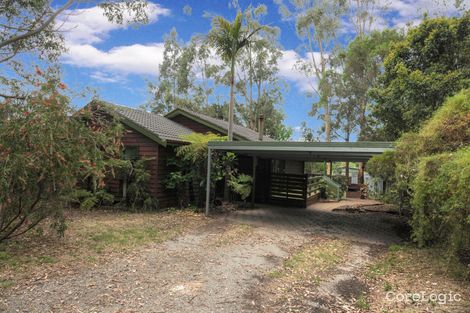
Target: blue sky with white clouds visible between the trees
[(118, 61)]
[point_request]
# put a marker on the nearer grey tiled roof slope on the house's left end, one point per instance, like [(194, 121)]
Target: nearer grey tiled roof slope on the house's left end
[(159, 125)]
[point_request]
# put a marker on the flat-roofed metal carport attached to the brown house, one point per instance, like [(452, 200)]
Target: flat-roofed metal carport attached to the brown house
[(293, 151)]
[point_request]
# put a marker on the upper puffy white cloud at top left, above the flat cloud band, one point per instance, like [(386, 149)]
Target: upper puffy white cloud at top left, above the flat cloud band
[(90, 26)]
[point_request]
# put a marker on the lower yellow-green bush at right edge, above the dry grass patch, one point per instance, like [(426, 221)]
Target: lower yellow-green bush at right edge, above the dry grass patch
[(441, 202)]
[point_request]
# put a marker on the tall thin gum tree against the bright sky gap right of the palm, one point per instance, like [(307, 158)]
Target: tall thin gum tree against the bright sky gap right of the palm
[(317, 24)]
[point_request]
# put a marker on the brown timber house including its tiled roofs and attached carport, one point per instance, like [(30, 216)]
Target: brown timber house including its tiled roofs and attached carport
[(277, 168)]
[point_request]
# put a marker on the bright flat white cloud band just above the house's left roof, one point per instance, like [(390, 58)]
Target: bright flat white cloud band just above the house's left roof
[(133, 59)]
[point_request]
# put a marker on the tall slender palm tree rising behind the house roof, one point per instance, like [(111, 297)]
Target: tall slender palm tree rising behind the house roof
[(228, 39)]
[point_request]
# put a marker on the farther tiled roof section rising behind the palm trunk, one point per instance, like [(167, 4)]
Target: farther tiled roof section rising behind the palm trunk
[(238, 130)]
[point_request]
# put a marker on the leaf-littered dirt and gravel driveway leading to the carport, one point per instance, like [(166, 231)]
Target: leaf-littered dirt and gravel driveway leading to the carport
[(213, 269)]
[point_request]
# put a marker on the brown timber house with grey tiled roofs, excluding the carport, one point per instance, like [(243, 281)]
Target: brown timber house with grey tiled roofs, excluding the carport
[(150, 135)]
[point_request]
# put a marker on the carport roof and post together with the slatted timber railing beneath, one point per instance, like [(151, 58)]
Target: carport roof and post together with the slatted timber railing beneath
[(289, 189)]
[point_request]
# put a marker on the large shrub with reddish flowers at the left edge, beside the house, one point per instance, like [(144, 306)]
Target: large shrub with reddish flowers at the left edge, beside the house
[(43, 154)]
